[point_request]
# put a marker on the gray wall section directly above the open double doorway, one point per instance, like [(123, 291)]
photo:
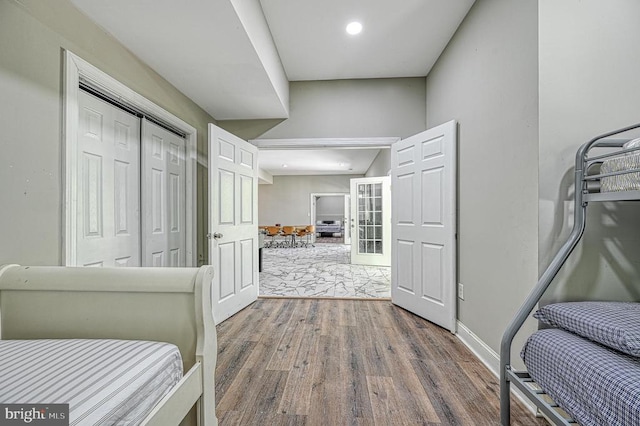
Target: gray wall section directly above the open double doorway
[(353, 108)]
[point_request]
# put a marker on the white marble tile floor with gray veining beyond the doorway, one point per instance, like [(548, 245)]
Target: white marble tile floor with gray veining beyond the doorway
[(321, 271)]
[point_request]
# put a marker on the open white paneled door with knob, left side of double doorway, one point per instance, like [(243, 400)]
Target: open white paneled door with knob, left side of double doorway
[(233, 226)]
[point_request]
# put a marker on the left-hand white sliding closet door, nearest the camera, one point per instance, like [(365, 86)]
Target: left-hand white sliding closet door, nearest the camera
[(108, 183)]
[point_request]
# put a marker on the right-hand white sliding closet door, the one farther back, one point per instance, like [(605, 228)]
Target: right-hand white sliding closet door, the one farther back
[(163, 192)]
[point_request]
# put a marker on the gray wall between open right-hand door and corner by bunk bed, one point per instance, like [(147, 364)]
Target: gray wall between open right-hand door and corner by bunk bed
[(487, 79)]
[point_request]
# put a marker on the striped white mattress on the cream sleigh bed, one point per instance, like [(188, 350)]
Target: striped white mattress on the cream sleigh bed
[(105, 382)]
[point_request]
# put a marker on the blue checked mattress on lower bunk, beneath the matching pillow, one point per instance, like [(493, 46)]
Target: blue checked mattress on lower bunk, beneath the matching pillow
[(595, 384)]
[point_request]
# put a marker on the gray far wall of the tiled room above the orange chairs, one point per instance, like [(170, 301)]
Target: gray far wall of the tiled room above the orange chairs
[(288, 200)]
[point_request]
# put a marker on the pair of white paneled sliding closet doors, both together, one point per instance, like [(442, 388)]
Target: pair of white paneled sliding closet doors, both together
[(131, 189)]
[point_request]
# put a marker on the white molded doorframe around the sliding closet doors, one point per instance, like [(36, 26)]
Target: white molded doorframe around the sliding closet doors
[(78, 70)]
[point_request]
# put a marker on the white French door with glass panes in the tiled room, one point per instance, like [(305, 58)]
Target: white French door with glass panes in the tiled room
[(371, 221)]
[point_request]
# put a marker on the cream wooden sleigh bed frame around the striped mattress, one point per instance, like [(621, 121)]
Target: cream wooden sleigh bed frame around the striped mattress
[(158, 304)]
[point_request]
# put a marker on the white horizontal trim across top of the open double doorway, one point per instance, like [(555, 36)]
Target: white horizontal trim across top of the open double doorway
[(334, 143)]
